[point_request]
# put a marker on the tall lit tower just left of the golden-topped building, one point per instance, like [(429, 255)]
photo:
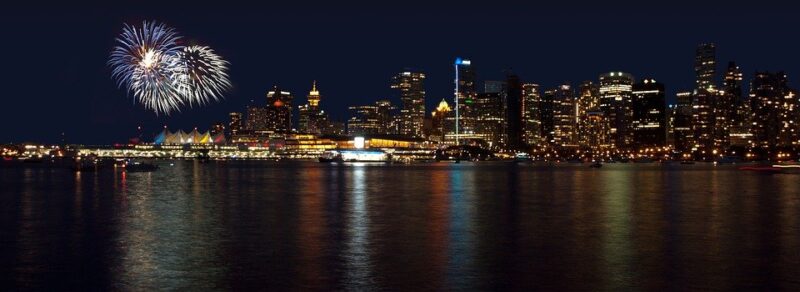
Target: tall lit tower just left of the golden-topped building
[(412, 102)]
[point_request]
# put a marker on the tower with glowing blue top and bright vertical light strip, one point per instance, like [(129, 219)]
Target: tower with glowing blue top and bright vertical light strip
[(463, 116)]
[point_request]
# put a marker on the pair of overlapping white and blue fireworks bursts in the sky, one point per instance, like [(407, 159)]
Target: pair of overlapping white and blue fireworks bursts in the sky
[(161, 74)]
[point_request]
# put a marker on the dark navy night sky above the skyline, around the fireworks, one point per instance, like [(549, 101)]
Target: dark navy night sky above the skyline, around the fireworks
[(55, 77)]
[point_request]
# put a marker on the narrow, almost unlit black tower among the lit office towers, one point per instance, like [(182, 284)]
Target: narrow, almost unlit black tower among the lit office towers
[(513, 112)]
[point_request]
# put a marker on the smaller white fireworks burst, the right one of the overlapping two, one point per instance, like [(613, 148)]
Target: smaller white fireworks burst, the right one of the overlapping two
[(205, 77)]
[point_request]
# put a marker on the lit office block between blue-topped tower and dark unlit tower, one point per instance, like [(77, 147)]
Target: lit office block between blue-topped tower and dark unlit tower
[(490, 119)]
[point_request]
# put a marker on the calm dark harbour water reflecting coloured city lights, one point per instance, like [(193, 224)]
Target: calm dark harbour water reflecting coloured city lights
[(304, 225)]
